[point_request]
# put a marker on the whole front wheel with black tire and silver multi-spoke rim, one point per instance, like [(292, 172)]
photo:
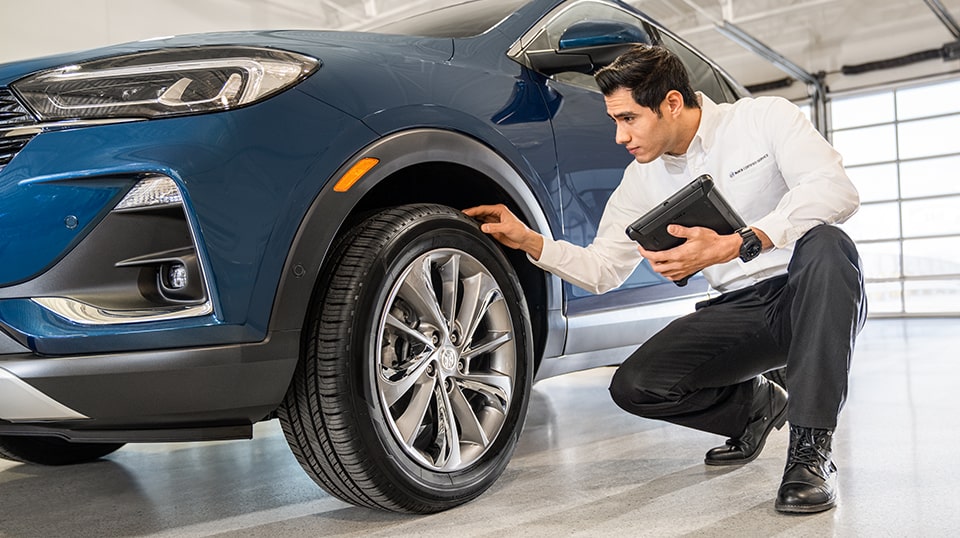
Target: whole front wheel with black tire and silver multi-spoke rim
[(417, 418)]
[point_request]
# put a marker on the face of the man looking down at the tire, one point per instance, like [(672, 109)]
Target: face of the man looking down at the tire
[(645, 135)]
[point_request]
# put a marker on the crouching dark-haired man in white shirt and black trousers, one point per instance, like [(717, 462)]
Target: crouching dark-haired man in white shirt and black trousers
[(799, 303)]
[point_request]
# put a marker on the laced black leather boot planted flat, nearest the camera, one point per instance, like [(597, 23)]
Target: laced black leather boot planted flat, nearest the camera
[(810, 478)]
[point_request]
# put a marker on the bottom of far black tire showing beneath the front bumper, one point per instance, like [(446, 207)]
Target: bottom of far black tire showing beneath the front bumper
[(52, 450)]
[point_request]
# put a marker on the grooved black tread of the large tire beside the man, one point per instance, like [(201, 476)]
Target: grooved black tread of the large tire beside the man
[(315, 416)]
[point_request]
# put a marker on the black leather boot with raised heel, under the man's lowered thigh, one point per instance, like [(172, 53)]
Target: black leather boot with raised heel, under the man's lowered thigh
[(769, 412)]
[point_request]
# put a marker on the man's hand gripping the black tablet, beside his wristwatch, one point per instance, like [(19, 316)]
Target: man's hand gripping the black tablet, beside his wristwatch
[(703, 248)]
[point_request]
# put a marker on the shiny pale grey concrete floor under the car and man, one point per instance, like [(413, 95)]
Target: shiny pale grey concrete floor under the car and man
[(583, 468)]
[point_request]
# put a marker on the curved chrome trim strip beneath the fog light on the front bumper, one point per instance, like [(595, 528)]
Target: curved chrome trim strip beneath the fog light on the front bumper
[(87, 314)]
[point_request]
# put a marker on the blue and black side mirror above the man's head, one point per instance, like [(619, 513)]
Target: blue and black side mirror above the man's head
[(587, 46)]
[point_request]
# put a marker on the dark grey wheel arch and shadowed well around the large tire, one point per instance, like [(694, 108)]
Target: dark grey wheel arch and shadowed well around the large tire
[(421, 165)]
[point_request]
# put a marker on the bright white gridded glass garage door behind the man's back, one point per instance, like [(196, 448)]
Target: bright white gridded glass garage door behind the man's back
[(901, 149)]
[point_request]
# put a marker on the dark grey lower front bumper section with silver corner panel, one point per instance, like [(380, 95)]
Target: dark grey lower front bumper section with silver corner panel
[(162, 395)]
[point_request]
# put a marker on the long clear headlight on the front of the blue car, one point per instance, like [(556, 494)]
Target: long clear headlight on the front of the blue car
[(169, 82)]
